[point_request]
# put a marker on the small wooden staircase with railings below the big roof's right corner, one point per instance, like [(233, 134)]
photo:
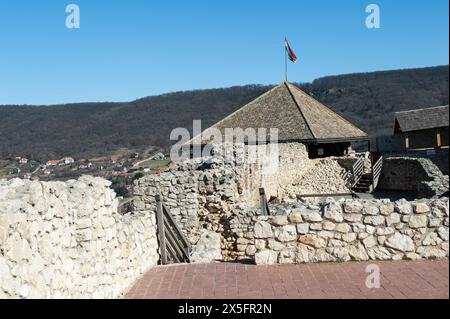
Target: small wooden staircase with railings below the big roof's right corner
[(367, 182)]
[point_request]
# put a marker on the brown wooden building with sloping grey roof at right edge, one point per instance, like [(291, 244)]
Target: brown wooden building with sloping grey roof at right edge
[(423, 129)]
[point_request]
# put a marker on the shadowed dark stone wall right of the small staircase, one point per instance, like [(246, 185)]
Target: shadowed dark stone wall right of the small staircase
[(418, 175)]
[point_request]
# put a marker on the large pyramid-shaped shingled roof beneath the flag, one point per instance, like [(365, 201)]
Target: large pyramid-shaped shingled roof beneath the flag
[(297, 115)]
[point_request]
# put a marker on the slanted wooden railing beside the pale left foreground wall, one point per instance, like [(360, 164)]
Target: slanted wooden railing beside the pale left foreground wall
[(174, 247)]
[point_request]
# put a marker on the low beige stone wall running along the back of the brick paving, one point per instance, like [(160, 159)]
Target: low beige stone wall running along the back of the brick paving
[(345, 230)]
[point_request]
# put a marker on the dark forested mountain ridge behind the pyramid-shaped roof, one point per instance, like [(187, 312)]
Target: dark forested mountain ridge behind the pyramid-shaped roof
[(91, 129)]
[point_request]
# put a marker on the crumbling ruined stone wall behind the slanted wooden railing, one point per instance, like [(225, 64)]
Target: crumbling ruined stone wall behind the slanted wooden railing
[(206, 193)]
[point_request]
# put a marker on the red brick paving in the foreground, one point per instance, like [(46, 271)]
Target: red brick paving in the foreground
[(401, 279)]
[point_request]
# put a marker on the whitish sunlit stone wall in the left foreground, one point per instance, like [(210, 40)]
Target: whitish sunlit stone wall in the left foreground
[(66, 240)]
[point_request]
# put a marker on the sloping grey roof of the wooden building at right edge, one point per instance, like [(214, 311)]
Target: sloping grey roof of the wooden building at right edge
[(421, 119)]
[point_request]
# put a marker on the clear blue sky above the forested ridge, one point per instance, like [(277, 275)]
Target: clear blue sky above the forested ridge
[(130, 49)]
